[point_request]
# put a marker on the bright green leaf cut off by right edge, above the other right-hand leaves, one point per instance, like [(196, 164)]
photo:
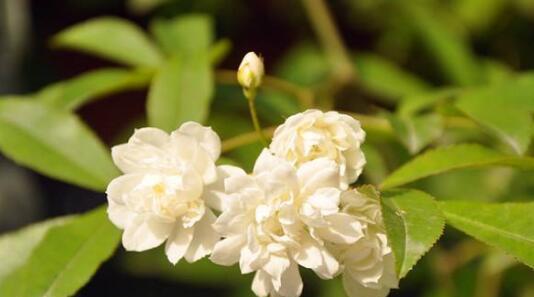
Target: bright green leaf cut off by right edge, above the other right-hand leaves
[(504, 109)]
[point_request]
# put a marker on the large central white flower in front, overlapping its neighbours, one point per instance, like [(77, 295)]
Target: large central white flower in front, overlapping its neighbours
[(278, 218)]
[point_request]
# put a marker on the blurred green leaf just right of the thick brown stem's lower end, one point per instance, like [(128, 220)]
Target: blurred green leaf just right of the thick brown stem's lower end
[(387, 79)]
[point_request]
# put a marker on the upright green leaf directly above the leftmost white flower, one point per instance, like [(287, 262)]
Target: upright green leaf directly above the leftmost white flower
[(181, 91)]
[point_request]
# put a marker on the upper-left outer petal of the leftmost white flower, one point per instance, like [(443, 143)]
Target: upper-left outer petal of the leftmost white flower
[(146, 149)]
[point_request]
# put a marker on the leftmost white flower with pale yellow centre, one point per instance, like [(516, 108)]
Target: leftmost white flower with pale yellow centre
[(161, 196)]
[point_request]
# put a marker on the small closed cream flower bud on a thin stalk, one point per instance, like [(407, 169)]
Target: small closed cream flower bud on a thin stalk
[(250, 73)]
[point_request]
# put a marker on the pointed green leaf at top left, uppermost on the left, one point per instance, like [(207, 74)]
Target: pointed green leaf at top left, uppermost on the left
[(111, 38)]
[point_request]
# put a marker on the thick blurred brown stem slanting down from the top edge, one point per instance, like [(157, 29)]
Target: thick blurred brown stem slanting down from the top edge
[(330, 39)]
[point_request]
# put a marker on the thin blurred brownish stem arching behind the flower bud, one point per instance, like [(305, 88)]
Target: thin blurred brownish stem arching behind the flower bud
[(303, 95)]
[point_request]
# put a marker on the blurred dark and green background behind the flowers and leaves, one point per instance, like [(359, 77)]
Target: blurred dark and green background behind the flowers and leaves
[(398, 50)]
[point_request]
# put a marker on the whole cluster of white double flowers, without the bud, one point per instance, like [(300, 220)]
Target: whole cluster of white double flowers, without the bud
[(294, 209)]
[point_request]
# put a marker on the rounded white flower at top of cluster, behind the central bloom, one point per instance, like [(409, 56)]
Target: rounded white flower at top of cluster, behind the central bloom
[(314, 134)]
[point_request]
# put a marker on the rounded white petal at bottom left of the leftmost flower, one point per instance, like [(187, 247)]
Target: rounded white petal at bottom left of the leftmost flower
[(145, 232)]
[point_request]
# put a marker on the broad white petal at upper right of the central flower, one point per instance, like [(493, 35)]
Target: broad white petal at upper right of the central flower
[(319, 173)]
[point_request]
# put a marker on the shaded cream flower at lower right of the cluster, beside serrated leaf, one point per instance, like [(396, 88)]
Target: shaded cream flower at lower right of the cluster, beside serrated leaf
[(368, 264)]
